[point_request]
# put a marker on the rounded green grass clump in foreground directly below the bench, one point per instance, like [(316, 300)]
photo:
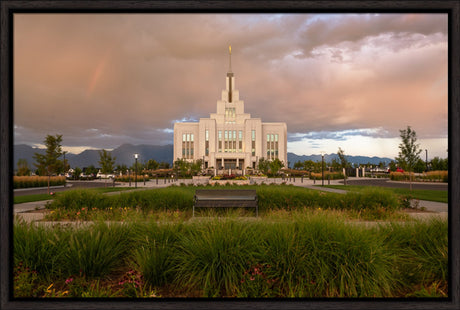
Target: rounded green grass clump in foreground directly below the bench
[(213, 255)]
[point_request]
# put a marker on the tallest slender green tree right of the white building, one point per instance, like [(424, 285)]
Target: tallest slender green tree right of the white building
[(409, 151)]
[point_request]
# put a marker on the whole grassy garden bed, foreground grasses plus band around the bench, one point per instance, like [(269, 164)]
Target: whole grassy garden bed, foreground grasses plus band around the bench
[(301, 245)]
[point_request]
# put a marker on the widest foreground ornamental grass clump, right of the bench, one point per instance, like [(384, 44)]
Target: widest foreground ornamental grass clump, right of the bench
[(319, 255)]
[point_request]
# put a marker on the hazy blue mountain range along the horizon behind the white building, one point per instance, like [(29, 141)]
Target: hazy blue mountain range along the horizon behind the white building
[(124, 154)]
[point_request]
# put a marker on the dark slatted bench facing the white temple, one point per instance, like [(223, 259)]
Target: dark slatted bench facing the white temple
[(225, 198)]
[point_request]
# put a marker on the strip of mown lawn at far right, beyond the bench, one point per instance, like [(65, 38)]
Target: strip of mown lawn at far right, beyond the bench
[(429, 195)]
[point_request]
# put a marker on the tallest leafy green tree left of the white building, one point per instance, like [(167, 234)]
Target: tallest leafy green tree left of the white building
[(49, 163)]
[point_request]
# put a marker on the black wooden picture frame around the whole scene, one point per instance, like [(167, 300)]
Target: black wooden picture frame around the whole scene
[(8, 8)]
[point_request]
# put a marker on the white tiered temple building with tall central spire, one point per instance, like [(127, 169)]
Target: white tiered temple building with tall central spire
[(230, 138)]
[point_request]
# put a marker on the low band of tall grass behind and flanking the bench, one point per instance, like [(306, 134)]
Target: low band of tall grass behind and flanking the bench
[(370, 203)]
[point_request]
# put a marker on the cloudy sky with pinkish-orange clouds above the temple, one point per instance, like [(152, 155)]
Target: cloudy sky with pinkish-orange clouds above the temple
[(337, 80)]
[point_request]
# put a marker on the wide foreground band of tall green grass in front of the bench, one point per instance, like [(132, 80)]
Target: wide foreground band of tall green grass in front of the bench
[(309, 254)]
